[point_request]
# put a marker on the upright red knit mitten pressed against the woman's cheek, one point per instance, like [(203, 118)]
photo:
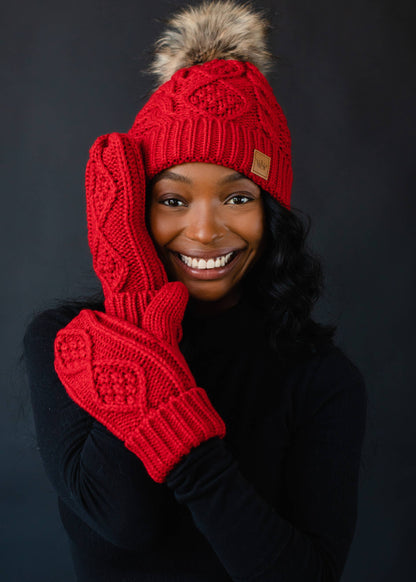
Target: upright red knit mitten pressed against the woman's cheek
[(124, 256)]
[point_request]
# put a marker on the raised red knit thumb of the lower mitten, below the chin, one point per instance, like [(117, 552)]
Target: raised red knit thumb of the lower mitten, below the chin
[(164, 314)]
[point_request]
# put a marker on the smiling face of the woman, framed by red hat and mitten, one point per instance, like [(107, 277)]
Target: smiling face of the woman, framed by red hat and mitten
[(207, 223)]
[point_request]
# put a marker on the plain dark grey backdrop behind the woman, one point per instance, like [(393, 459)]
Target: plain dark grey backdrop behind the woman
[(346, 82)]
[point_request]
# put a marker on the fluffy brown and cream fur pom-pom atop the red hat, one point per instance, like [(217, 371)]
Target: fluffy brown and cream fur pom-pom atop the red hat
[(212, 30)]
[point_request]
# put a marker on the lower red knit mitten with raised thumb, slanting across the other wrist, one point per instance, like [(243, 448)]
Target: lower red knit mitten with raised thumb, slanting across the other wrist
[(136, 382)]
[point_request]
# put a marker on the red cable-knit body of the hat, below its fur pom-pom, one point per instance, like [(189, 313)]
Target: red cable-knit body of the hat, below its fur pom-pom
[(221, 112)]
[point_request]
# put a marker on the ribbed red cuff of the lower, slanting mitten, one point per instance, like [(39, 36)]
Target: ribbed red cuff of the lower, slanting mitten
[(168, 434)]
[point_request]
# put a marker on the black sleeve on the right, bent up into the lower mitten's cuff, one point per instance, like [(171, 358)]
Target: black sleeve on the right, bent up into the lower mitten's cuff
[(255, 543)]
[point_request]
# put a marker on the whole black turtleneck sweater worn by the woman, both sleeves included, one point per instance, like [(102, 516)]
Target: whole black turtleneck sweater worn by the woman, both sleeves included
[(274, 501)]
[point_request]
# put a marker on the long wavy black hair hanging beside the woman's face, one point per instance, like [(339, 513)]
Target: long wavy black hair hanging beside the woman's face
[(288, 280)]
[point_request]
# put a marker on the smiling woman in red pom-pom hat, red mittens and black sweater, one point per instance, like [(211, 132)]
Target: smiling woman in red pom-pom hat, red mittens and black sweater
[(198, 424)]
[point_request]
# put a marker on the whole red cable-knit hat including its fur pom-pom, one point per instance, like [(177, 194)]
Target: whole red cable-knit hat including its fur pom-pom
[(218, 107)]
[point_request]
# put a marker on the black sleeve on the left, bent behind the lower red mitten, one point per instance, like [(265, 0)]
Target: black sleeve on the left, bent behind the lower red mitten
[(94, 474)]
